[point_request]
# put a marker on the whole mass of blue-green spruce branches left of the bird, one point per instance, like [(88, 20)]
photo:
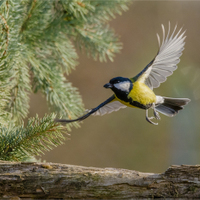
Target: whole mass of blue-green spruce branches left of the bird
[(36, 51)]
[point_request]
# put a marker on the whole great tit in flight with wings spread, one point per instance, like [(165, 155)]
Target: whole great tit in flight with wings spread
[(137, 92)]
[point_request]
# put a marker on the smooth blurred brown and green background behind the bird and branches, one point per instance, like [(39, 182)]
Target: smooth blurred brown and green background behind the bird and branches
[(124, 139)]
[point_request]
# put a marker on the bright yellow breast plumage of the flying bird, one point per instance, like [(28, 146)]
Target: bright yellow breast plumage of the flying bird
[(140, 93)]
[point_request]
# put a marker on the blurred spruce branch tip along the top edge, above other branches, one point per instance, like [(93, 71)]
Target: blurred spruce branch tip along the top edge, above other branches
[(94, 11)]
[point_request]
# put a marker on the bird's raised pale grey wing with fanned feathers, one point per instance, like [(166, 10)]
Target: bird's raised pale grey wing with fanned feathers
[(166, 60)]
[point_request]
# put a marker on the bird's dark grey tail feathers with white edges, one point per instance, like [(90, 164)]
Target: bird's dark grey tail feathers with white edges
[(171, 106)]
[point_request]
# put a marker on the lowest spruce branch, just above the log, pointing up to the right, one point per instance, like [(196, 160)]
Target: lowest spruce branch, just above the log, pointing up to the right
[(18, 143)]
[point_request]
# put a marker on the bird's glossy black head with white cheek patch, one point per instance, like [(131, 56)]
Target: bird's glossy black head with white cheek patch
[(120, 85)]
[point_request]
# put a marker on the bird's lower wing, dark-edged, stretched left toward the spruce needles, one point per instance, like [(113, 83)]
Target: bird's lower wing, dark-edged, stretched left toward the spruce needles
[(108, 106)]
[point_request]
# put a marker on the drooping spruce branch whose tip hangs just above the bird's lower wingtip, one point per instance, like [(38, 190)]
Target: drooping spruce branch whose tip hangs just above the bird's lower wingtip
[(48, 78)]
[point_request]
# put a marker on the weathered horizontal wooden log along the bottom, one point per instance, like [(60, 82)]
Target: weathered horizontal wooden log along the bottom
[(50, 180)]
